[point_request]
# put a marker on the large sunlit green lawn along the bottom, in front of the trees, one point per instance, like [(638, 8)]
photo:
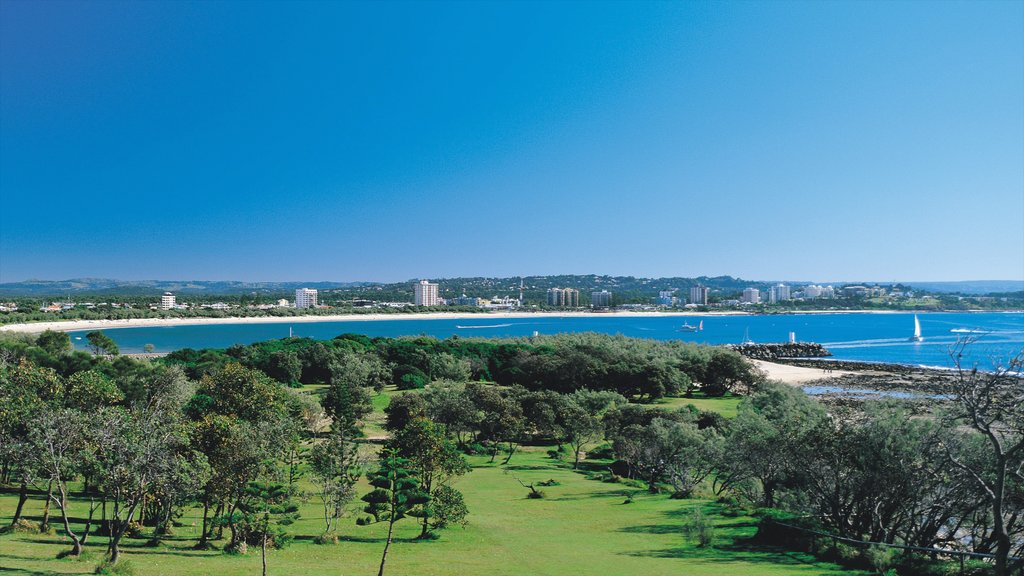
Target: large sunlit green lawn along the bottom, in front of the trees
[(583, 527)]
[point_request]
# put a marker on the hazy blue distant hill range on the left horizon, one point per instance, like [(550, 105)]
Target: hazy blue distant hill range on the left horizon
[(101, 286)]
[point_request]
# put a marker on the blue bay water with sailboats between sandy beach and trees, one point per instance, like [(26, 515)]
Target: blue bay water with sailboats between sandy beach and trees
[(867, 338)]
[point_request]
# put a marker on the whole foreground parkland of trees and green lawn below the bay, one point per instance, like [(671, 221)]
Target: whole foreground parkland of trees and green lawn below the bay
[(566, 455)]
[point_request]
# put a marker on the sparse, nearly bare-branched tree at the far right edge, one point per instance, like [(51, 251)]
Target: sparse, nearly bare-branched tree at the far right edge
[(993, 404)]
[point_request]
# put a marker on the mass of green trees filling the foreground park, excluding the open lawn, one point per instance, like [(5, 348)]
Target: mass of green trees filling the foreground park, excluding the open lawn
[(225, 432)]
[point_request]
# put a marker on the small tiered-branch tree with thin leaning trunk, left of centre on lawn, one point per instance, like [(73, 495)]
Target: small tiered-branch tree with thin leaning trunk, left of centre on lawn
[(397, 492)]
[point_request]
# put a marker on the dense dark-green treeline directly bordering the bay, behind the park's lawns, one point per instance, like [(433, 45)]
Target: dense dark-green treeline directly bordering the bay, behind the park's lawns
[(637, 369)]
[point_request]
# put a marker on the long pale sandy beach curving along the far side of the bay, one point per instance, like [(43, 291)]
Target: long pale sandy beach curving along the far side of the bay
[(77, 325)]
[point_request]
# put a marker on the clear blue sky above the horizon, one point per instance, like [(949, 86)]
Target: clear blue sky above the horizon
[(337, 141)]
